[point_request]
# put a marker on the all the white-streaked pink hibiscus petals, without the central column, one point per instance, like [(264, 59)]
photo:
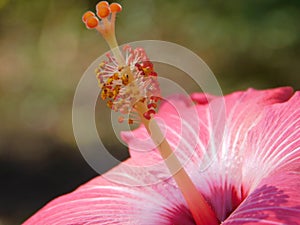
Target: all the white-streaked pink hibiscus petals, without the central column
[(254, 179)]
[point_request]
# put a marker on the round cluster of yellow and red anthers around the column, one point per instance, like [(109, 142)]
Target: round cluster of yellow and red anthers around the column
[(121, 92)]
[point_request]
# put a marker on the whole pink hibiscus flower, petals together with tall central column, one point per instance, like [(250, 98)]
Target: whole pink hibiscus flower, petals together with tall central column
[(253, 171)]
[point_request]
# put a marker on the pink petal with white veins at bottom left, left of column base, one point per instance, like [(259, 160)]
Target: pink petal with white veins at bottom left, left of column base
[(101, 201)]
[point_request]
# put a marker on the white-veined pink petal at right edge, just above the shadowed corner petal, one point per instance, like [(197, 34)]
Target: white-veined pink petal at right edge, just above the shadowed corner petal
[(273, 144)]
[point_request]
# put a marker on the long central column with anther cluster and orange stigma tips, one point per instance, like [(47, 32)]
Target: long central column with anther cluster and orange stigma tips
[(129, 84)]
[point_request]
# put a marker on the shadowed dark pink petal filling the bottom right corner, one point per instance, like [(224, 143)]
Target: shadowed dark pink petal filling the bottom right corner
[(275, 201)]
